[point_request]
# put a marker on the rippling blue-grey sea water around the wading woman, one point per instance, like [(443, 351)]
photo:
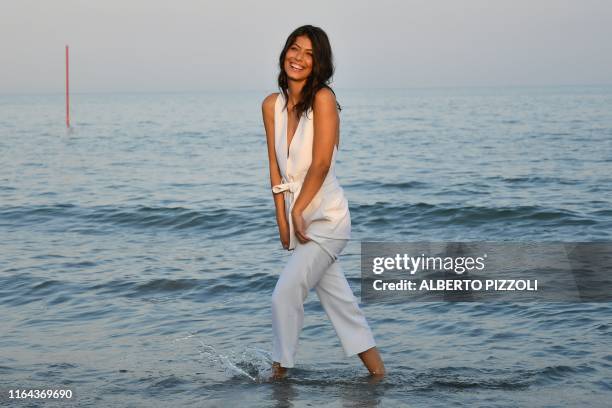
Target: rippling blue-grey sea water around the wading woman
[(139, 249)]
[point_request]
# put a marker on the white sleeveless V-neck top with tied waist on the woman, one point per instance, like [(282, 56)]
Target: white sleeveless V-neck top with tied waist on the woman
[(327, 215)]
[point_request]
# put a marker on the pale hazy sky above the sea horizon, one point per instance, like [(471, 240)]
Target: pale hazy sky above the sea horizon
[(190, 45)]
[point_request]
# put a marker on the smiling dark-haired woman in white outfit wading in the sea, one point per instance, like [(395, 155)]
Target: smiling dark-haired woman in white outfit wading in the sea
[(302, 129)]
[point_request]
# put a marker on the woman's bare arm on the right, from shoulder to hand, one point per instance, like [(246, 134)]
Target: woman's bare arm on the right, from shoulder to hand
[(326, 121)]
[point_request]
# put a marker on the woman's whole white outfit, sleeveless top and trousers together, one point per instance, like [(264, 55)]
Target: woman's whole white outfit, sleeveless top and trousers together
[(314, 264)]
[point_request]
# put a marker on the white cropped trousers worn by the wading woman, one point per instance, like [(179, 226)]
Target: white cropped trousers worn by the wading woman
[(315, 265)]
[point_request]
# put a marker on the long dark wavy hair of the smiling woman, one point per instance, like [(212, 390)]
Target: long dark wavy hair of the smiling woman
[(322, 67)]
